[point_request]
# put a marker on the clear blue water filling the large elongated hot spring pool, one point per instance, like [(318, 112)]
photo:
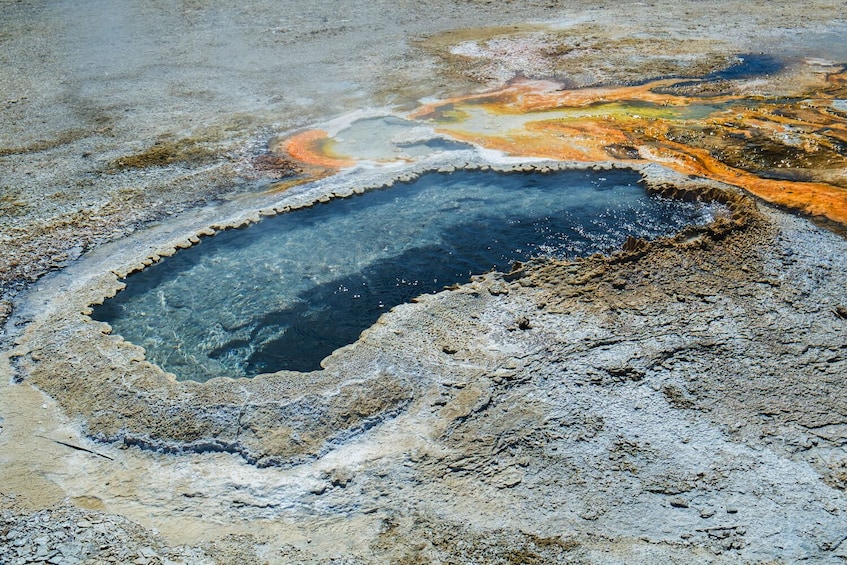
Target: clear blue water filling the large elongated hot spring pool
[(285, 293)]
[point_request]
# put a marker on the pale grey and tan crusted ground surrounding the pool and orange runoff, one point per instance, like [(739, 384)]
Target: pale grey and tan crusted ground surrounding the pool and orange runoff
[(676, 402)]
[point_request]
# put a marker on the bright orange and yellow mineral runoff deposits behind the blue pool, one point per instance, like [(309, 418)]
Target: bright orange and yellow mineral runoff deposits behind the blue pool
[(789, 151)]
